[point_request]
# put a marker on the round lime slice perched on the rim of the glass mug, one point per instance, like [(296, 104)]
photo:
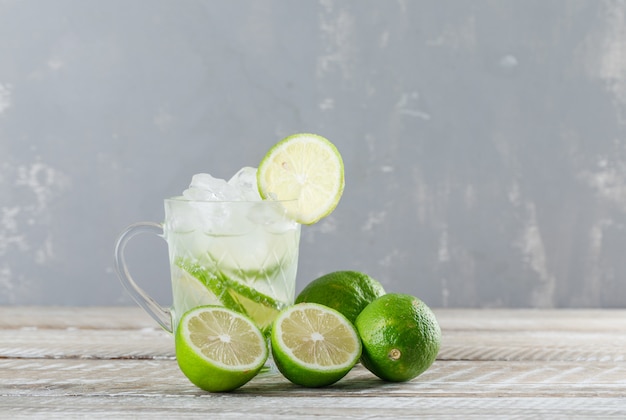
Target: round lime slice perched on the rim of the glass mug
[(304, 168)]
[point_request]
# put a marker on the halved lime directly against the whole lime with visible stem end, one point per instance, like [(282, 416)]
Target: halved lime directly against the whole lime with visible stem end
[(314, 345)]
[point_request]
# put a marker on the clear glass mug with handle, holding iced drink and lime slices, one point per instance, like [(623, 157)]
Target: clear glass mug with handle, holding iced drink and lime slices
[(242, 255)]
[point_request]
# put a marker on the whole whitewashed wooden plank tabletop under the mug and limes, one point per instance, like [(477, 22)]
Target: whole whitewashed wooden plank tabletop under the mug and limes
[(58, 362)]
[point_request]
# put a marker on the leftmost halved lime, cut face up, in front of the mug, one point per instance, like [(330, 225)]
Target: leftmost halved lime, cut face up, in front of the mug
[(219, 349)]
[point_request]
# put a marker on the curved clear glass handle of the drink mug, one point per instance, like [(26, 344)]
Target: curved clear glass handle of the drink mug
[(160, 314)]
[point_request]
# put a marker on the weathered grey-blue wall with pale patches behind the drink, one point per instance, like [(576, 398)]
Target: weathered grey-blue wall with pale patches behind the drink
[(484, 141)]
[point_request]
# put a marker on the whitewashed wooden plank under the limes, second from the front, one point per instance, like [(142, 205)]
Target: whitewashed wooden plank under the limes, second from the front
[(63, 377)]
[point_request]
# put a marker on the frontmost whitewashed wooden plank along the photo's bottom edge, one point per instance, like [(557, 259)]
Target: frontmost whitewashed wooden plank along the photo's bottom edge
[(340, 407)]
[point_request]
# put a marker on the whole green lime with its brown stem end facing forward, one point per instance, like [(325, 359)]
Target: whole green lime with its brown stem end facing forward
[(400, 335)]
